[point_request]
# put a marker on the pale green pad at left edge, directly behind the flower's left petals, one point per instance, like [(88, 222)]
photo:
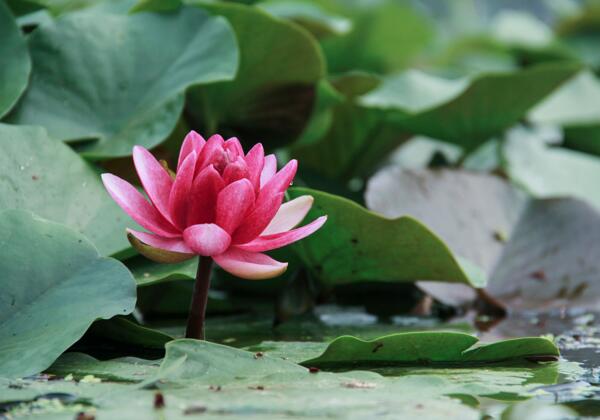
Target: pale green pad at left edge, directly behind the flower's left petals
[(46, 177)]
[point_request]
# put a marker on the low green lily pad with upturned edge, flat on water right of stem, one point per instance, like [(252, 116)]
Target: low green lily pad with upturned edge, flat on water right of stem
[(426, 348)]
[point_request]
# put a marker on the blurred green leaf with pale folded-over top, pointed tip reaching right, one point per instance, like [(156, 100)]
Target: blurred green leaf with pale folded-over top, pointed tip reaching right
[(465, 112)]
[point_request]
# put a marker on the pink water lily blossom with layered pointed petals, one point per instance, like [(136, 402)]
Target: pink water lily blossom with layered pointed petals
[(222, 204)]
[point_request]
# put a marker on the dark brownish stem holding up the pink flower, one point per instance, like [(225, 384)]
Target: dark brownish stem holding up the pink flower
[(195, 326)]
